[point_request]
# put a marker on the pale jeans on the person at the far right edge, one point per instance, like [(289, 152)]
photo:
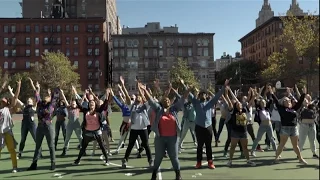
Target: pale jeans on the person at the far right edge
[(310, 131)]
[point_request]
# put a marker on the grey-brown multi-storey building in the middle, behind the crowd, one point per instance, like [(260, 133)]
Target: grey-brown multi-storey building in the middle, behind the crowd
[(149, 52)]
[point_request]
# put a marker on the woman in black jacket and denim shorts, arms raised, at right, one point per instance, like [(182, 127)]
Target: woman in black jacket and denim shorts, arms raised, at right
[(289, 119)]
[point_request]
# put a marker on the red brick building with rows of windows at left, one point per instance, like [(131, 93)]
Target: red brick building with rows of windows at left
[(24, 40)]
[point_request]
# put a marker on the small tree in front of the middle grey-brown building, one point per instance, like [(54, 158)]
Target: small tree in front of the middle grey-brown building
[(183, 71)]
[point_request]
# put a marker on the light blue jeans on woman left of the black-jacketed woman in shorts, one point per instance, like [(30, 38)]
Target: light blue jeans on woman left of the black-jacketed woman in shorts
[(264, 129)]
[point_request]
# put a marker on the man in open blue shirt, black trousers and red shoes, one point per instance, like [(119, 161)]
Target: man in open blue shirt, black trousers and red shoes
[(203, 128)]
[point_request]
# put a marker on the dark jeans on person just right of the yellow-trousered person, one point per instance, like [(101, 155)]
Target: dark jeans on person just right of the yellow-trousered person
[(27, 127)]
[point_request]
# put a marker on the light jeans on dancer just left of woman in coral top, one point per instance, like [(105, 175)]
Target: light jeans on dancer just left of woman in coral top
[(72, 126)]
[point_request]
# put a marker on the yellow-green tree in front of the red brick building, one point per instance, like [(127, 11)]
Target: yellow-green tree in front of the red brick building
[(55, 71)]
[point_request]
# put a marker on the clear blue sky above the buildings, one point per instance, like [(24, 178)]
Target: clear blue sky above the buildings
[(229, 19)]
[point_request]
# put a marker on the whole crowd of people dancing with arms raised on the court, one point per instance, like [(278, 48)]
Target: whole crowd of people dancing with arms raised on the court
[(294, 116)]
